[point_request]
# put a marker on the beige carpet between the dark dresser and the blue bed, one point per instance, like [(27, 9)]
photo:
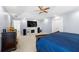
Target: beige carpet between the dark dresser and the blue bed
[(26, 43)]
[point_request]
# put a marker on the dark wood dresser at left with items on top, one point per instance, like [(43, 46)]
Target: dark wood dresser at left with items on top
[(8, 41)]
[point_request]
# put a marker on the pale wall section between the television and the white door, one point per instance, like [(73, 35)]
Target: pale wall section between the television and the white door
[(45, 25)]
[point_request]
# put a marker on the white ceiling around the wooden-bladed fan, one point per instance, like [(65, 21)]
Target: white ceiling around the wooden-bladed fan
[(30, 11)]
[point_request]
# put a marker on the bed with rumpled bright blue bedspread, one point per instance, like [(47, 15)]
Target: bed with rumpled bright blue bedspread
[(58, 42)]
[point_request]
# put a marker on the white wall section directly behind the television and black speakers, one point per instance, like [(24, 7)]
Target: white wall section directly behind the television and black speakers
[(23, 25)]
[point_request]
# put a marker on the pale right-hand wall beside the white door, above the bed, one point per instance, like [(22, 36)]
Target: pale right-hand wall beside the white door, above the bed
[(71, 22)]
